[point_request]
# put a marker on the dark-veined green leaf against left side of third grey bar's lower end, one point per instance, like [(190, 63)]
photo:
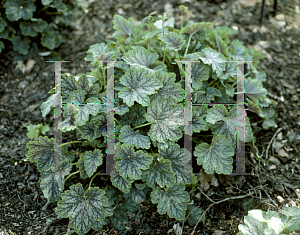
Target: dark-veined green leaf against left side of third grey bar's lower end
[(179, 162)]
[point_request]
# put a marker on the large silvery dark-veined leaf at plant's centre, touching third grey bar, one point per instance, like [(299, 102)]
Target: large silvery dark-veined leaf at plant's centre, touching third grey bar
[(166, 118)]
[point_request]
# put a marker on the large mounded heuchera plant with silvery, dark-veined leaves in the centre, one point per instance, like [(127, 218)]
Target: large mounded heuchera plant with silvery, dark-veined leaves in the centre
[(149, 119)]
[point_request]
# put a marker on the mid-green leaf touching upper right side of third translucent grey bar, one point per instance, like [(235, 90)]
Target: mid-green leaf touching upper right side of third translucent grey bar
[(200, 72)]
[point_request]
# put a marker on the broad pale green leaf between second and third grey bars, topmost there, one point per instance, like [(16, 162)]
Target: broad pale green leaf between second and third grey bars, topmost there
[(139, 57)]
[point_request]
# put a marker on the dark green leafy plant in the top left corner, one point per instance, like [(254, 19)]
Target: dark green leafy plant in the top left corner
[(30, 25)]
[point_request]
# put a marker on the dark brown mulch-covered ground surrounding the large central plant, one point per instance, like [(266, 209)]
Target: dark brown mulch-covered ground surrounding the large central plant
[(274, 184)]
